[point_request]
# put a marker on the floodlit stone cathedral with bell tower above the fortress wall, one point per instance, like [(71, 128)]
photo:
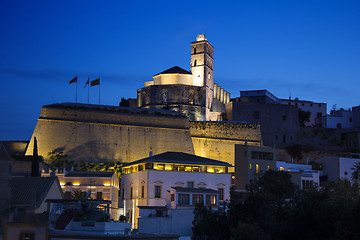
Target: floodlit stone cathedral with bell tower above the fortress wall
[(193, 92)]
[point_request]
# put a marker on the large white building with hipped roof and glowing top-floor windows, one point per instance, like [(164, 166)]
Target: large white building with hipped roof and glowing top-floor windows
[(173, 180)]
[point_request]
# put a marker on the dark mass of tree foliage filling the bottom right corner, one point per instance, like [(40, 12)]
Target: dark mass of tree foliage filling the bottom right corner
[(275, 209)]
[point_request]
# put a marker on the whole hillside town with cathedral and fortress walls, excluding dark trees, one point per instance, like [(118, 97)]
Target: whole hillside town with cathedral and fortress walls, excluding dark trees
[(183, 141)]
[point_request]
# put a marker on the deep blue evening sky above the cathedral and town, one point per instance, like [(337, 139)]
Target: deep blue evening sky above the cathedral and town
[(309, 49)]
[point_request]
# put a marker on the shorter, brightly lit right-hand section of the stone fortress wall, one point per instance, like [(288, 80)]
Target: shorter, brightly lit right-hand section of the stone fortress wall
[(216, 140)]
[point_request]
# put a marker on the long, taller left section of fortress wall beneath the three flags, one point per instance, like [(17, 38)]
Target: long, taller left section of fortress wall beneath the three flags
[(106, 134)]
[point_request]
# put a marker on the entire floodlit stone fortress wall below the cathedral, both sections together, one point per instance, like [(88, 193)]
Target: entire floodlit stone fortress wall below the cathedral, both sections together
[(93, 133)]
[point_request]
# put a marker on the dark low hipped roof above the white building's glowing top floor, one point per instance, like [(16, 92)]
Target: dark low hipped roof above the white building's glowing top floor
[(180, 158)]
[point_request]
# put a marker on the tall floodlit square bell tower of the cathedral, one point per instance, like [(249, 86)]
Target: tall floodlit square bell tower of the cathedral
[(201, 65)]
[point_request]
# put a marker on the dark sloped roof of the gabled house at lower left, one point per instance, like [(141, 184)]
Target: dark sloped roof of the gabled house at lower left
[(30, 191)]
